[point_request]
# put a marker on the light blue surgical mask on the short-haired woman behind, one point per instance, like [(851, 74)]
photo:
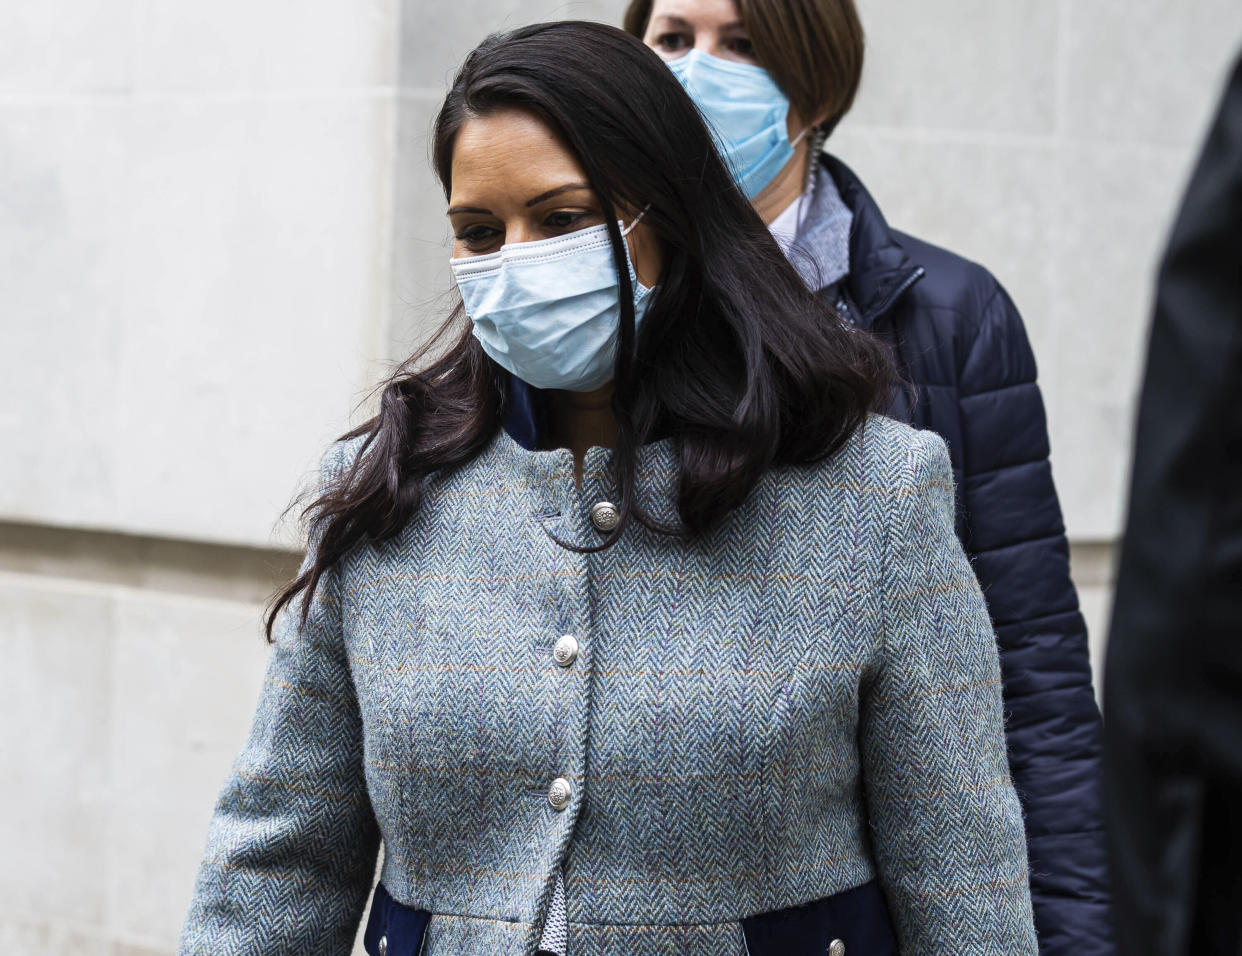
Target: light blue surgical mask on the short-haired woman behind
[(747, 114)]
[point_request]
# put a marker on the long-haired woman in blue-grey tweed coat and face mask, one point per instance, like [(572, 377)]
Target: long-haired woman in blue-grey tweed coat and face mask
[(707, 674)]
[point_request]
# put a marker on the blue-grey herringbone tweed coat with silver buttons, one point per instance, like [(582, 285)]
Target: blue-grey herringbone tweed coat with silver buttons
[(803, 701)]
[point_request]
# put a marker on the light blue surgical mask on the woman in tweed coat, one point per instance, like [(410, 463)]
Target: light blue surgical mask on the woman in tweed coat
[(551, 311)]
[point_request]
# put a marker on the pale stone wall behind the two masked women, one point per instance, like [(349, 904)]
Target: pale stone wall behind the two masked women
[(218, 228)]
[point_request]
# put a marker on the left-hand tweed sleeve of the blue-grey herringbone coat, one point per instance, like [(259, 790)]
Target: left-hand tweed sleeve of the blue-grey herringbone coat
[(292, 846)]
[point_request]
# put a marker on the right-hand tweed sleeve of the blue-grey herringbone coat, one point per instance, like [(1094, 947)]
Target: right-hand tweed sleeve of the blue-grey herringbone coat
[(947, 824)]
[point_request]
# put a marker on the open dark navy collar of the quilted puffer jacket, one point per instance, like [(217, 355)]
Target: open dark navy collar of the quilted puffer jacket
[(880, 268)]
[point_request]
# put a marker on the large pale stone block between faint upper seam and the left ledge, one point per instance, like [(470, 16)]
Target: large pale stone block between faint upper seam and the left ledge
[(198, 301)]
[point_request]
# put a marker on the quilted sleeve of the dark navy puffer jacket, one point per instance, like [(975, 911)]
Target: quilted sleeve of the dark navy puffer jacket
[(1017, 541)]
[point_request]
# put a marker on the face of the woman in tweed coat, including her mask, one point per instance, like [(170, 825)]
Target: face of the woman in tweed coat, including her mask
[(533, 258)]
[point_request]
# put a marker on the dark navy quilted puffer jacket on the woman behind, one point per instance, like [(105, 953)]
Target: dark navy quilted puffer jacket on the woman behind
[(962, 347)]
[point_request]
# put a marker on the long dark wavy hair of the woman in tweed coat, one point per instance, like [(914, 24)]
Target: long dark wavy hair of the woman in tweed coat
[(736, 361)]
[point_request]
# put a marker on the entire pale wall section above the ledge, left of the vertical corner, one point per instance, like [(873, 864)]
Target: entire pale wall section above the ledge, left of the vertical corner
[(196, 255)]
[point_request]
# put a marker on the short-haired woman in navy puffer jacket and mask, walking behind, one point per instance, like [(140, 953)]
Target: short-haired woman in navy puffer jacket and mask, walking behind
[(774, 78)]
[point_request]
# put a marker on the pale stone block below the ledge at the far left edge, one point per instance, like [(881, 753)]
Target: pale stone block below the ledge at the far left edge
[(55, 698)]
